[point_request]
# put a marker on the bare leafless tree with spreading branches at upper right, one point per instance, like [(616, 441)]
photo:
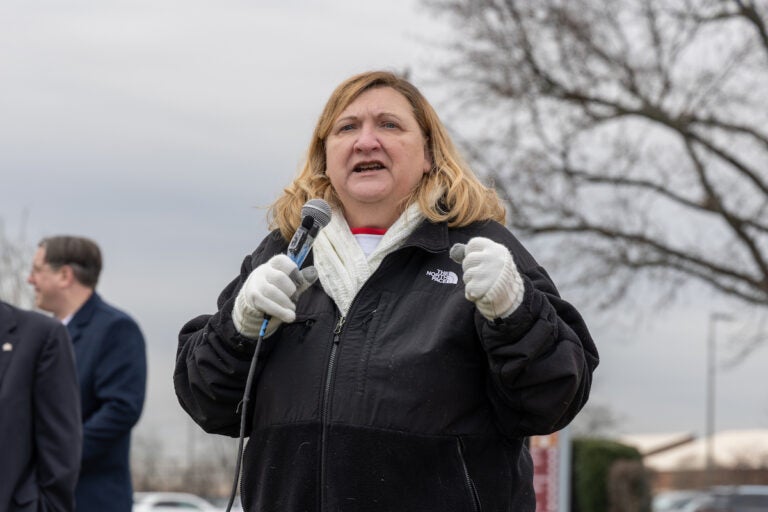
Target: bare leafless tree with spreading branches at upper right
[(632, 130)]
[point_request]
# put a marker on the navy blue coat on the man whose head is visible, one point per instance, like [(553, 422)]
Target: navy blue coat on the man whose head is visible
[(112, 367)]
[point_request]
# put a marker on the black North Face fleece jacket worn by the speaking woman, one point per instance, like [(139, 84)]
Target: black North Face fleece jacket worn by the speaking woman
[(412, 402)]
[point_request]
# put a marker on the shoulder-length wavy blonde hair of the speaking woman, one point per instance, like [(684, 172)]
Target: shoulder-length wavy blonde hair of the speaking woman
[(450, 192)]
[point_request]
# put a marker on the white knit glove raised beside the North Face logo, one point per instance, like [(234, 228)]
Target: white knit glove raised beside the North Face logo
[(491, 279)]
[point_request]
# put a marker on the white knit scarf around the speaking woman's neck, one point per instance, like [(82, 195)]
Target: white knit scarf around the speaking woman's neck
[(340, 262)]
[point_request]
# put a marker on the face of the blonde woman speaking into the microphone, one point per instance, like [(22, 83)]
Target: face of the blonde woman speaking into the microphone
[(375, 156)]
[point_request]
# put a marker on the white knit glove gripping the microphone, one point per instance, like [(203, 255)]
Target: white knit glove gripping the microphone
[(273, 289)]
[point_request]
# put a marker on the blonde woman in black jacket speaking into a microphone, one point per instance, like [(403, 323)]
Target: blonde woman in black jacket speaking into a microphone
[(409, 374)]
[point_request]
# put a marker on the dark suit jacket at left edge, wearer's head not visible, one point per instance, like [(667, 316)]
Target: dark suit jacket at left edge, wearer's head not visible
[(40, 427)]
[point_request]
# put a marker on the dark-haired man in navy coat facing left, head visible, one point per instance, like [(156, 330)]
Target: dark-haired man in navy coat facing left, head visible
[(111, 365)]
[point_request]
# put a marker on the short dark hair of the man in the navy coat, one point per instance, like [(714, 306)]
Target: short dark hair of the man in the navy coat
[(81, 254)]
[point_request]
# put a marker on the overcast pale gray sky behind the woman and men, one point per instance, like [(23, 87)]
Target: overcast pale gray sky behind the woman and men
[(162, 128)]
